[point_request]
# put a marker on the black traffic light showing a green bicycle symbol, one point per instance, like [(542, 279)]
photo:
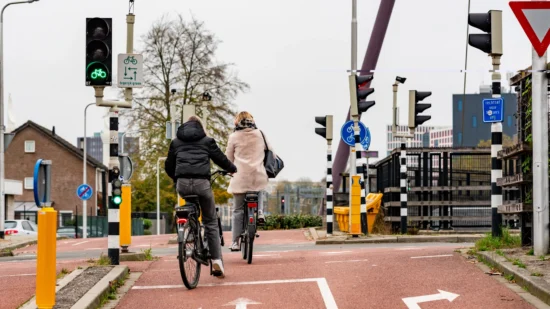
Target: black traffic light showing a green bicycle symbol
[(99, 38)]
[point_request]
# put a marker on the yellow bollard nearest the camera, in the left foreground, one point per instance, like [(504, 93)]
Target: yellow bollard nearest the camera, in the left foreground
[(46, 259)]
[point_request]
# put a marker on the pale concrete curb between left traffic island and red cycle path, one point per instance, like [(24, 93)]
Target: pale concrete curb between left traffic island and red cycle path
[(92, 298)]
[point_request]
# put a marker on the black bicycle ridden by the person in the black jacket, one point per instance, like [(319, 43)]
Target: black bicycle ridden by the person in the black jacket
[(192, 242)]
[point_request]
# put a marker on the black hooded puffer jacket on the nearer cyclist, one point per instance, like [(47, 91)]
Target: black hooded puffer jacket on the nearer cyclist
[(190, 153)]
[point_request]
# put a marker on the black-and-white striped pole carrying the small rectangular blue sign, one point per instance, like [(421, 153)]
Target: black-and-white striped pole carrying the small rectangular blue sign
[(496, 163)]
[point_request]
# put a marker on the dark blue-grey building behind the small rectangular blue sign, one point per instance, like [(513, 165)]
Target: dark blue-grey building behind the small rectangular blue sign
[(468, 126)]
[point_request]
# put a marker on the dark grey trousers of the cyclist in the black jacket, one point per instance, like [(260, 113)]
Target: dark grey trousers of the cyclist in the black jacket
[(201, 188)]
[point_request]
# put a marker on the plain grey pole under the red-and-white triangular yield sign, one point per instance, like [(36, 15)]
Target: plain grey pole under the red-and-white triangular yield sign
[(540, 155)]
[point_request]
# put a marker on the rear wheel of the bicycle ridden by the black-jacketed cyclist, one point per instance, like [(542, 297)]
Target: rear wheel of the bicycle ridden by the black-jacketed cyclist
[(190, 269)]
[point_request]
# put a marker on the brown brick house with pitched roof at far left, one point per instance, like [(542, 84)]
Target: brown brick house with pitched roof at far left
[(33, 142)]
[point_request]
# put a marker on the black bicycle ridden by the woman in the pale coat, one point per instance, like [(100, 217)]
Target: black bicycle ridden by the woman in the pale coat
[(250, 219)]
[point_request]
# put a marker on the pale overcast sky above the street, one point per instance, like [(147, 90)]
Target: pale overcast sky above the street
[(293, 53)]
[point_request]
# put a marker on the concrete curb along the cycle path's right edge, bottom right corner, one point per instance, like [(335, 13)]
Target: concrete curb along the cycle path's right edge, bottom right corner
[(535, 285)]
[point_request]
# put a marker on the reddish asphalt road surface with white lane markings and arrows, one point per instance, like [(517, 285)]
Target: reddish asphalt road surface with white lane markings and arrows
[(288, 271)]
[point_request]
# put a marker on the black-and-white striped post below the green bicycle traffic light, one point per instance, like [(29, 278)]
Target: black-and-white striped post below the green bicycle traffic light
[(113, 215)]
